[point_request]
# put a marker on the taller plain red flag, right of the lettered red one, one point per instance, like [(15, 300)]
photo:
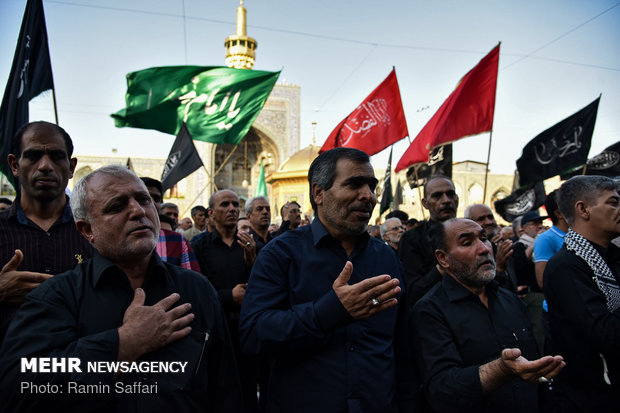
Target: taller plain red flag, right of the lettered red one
[(467, 111)]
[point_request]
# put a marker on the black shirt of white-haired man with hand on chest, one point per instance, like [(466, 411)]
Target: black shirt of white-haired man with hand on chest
[(77, 314)]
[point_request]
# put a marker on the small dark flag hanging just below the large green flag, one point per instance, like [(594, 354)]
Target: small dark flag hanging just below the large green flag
[(182, 161)]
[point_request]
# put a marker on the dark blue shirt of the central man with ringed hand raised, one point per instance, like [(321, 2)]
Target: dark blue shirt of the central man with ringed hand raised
[(320, 358)]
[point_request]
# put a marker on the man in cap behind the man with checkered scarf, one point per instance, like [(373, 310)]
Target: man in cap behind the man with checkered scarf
[(523, 260)]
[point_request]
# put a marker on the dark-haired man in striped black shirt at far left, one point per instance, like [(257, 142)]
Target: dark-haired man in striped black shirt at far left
[(38, 238)]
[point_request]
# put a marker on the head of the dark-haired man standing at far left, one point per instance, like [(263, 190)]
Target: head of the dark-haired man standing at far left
[(43, 167)]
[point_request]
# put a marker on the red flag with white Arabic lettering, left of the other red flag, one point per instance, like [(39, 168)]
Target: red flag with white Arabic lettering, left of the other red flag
[(375, 124)]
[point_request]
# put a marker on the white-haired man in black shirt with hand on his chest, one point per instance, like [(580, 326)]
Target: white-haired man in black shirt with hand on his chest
[(126, 305)]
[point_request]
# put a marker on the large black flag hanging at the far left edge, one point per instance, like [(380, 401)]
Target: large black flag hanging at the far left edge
[(30, 75)]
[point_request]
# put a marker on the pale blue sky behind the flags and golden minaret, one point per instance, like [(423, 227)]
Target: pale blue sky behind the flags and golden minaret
[(556, 57)]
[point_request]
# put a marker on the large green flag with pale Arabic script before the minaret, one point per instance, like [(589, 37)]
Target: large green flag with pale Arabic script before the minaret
[(218, 104)]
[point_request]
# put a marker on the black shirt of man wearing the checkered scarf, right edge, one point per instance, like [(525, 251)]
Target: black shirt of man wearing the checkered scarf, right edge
[(583, 330)]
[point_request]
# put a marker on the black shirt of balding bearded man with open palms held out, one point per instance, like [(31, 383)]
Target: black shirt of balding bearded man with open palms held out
[(454, 334)]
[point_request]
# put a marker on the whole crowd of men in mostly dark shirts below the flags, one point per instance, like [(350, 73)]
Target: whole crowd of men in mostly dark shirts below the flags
[(447, 314)]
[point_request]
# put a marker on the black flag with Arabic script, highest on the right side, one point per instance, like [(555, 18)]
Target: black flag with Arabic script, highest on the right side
[(560, 148)]
